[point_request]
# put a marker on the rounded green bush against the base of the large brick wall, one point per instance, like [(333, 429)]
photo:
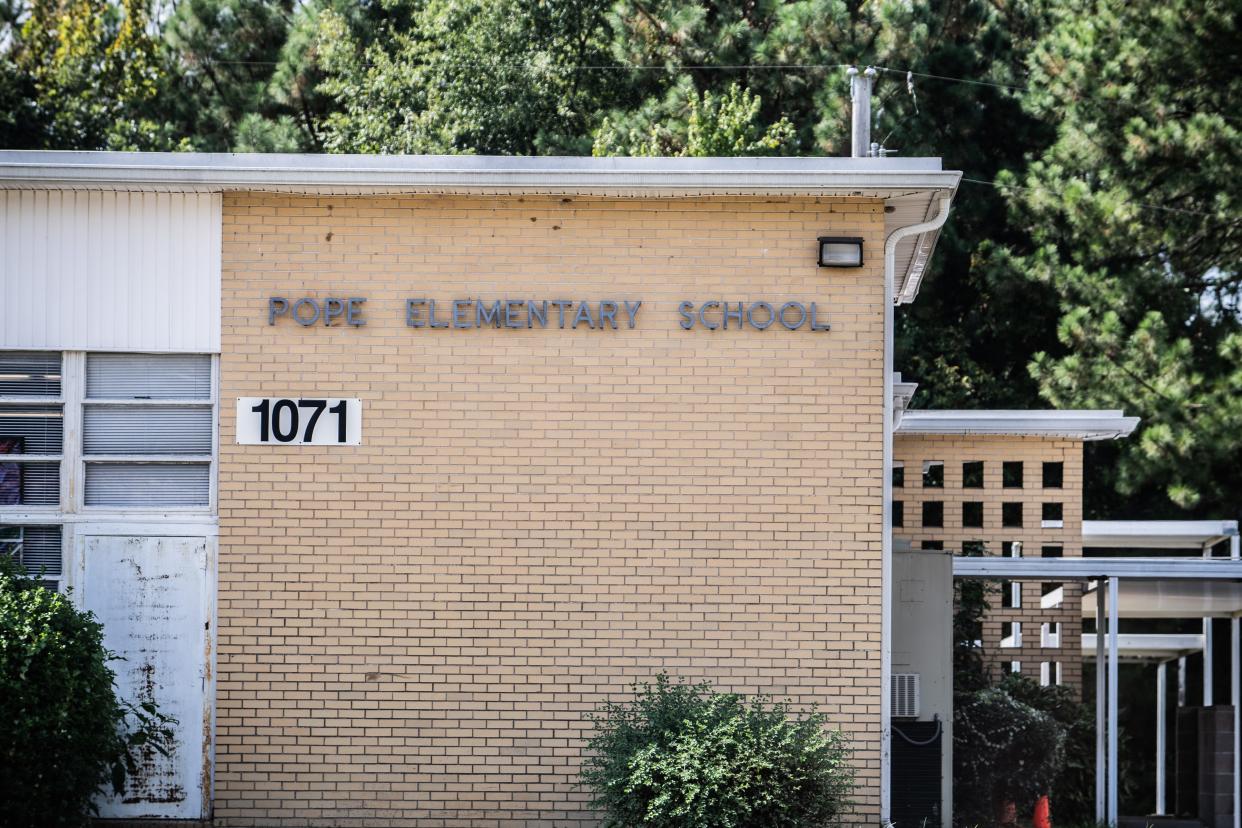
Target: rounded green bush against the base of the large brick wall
[(685, 755)]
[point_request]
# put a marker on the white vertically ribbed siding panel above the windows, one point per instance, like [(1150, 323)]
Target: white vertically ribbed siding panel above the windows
[(110, 271)]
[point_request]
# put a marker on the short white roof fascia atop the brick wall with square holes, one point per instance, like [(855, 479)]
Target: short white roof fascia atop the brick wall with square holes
[(1076, 425)]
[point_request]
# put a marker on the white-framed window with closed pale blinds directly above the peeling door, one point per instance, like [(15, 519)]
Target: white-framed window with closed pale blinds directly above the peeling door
[(148, 430)]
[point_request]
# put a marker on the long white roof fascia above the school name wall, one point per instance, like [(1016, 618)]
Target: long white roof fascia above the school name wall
[(475, 174)]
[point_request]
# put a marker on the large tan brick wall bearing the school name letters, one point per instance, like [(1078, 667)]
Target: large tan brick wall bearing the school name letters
[(412, 630)]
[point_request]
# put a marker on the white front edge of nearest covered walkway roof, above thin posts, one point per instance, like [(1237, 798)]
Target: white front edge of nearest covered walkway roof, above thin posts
[(1085, 569)]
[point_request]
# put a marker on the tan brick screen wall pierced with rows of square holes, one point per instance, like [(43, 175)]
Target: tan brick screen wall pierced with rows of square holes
[(1033, 452)]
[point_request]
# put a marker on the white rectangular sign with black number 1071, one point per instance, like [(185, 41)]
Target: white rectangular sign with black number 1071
[(300, 421)]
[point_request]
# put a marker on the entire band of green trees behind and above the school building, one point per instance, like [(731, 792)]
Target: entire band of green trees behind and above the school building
[(1092, 259)]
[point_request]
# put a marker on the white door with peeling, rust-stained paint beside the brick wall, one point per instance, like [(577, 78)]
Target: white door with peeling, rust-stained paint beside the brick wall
[(151, 594)]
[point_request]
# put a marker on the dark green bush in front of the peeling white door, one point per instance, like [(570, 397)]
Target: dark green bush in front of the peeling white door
[(63, 732)]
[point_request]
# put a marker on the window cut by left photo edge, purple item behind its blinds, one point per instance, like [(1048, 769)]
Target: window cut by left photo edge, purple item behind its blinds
[(32, 429)]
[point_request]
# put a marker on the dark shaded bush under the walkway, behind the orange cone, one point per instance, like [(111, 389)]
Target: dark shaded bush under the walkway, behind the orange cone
[(1004, 750)]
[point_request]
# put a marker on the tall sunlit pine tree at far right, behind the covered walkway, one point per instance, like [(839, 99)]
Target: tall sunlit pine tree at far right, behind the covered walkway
[(1136, 218)]
